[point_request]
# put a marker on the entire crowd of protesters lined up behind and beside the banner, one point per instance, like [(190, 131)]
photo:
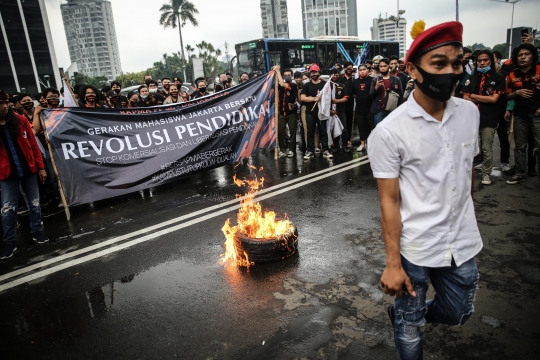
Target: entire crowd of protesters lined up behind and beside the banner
[(323, 113)]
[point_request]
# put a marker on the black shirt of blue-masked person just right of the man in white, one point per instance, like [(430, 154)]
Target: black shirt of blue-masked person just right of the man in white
[(486, 85)]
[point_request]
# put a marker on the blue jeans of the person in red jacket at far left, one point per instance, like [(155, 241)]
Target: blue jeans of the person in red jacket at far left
[(10, 200)]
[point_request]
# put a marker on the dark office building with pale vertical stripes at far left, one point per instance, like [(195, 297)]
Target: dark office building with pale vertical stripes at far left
[(27, 57)]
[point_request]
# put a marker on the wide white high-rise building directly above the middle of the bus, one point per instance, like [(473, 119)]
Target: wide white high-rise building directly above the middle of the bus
[(329, 18)]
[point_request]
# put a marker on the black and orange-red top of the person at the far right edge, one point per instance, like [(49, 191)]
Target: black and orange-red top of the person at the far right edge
[(518, 80)]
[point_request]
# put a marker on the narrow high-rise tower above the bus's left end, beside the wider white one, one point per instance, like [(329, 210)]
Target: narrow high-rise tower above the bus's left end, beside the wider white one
[(274, 19)]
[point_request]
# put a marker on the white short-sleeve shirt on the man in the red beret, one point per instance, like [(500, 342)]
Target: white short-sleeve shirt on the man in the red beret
[(434, 162)]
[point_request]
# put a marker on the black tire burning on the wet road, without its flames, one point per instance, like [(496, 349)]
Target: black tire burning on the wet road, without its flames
[(267, 250)]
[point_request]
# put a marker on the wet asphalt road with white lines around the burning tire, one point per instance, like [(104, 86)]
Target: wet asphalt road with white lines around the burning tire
[(170, 297)]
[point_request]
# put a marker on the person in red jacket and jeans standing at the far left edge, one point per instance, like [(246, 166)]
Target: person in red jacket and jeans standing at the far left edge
[(20, 164)]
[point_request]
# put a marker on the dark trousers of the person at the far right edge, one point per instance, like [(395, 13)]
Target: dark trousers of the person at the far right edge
[(523, 126)]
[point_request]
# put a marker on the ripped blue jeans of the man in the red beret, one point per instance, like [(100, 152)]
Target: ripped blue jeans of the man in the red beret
[(455, 289)]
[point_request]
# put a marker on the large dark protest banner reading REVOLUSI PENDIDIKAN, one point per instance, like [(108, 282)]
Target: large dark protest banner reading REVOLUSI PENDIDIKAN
[(102, 153)]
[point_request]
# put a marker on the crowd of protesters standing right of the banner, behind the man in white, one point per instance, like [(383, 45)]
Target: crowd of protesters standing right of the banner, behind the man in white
[(506, 94)]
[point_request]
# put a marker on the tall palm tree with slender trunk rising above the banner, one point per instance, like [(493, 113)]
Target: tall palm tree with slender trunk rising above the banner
[(176, 14)]
